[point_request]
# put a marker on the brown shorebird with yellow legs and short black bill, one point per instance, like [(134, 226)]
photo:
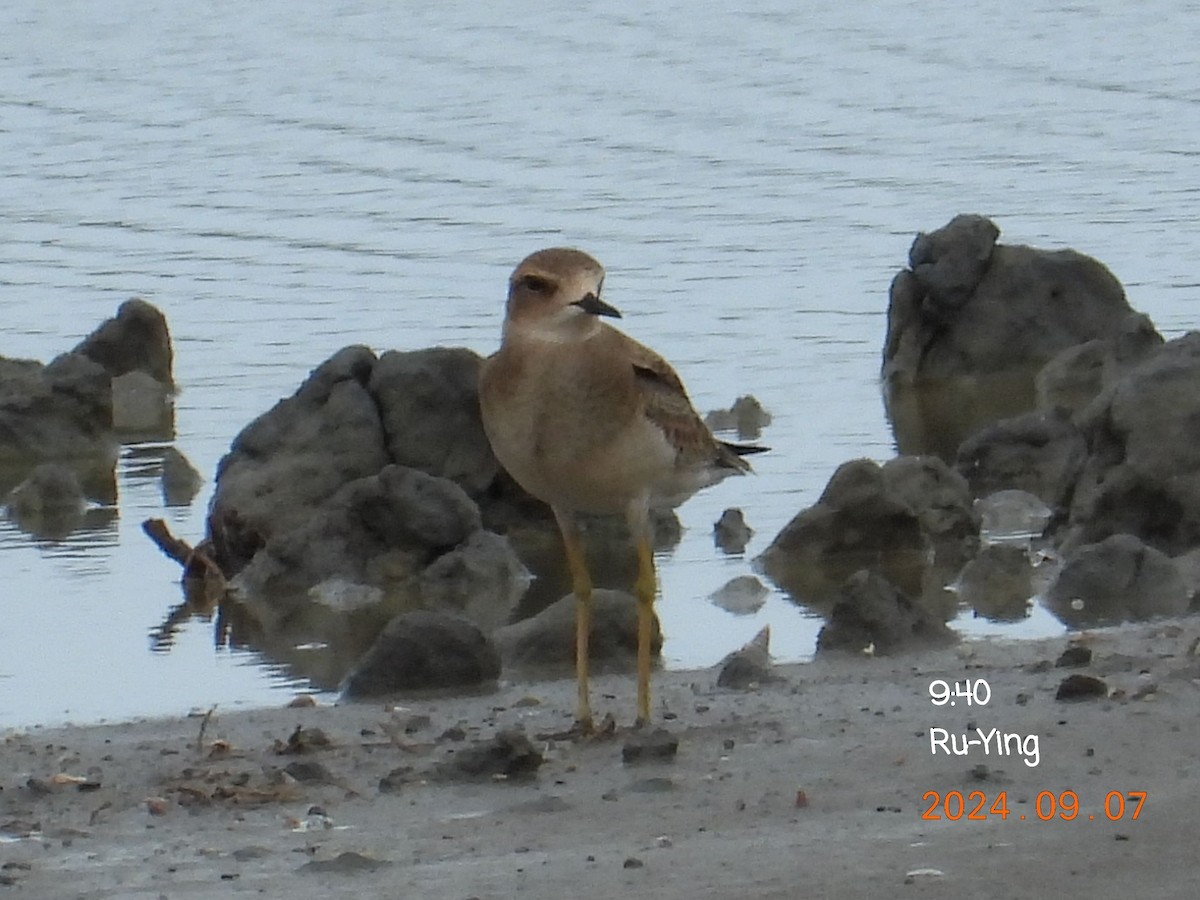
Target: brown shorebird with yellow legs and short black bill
[(591, 422)]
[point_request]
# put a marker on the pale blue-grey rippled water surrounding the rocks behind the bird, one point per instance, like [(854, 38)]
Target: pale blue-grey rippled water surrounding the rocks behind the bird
[(285, 179)]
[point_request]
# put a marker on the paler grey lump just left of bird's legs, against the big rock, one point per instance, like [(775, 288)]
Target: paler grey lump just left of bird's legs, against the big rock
[(482, 579)]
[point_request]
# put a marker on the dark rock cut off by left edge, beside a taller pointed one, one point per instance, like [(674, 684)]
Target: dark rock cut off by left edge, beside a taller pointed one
[(59, 412)]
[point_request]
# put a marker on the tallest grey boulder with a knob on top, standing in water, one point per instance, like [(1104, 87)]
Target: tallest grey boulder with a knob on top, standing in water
[(973, 322)]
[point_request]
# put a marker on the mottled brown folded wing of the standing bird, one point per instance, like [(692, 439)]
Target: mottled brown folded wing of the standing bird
[(665, 403)]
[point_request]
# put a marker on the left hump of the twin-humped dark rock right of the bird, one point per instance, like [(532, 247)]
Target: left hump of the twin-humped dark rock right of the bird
[(859, 524)]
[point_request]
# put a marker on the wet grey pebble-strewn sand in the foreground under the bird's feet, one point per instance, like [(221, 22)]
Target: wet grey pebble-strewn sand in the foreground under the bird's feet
[(813, 787)]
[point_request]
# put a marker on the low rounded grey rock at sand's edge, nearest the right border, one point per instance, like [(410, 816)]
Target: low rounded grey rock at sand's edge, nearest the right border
[(1118, 580)]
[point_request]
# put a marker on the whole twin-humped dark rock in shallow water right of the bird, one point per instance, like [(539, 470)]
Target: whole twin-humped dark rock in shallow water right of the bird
[(903, 521)]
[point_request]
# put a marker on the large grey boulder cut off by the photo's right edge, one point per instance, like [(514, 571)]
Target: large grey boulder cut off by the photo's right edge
[(1143, 473)]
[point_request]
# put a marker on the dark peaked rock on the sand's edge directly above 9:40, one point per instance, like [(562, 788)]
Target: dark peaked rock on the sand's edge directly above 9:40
[(872, 614)]
